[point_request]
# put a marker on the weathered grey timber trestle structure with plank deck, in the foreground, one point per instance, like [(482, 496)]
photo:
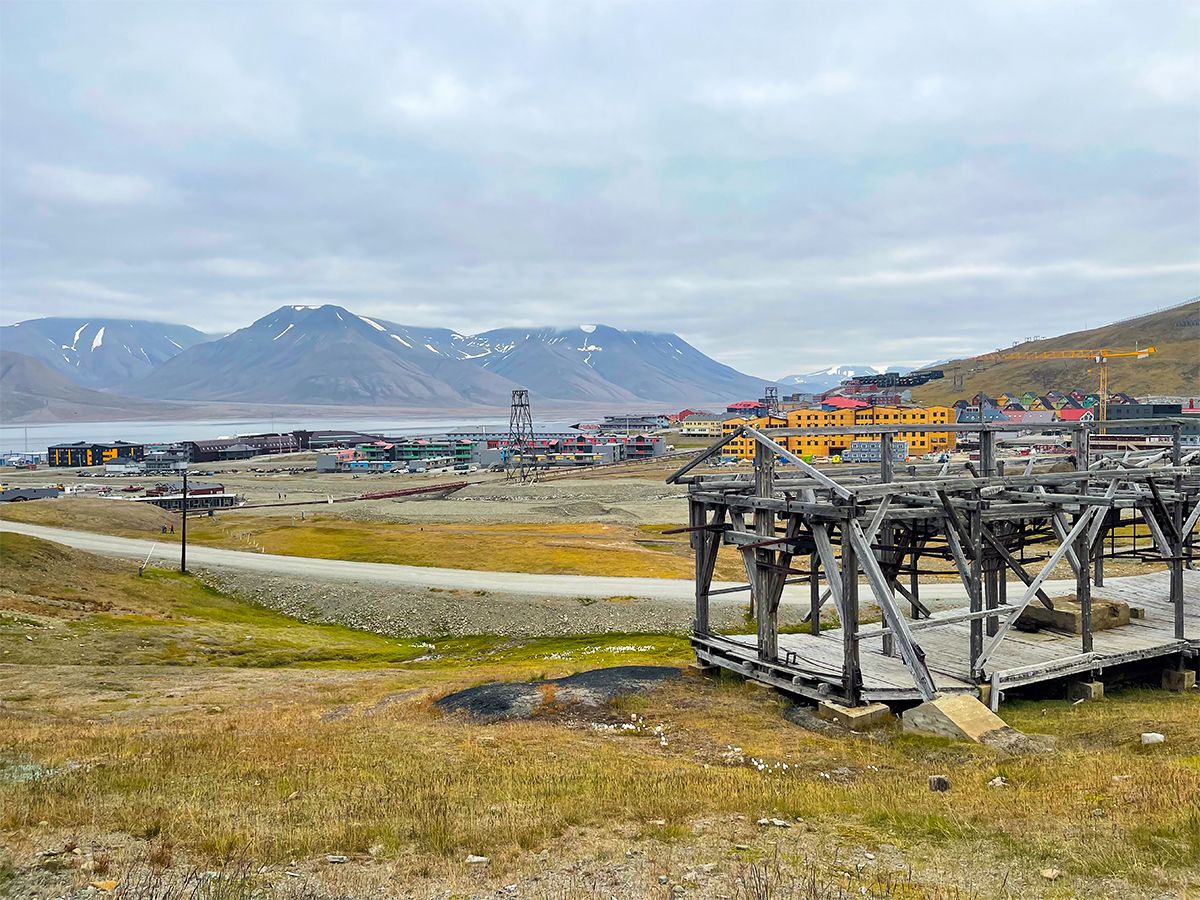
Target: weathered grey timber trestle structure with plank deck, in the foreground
[(795, 525)]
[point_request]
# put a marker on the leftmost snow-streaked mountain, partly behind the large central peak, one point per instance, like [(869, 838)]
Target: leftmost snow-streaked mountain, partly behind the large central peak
[(98, 352)]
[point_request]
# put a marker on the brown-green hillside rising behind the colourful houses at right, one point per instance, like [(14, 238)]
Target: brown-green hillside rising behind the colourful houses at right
[(1174, 370)]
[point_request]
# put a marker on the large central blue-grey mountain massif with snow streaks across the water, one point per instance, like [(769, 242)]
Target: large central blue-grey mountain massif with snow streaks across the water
[(327, 355)]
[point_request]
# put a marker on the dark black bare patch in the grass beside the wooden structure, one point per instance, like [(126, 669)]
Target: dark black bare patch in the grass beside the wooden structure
[(524, 700)]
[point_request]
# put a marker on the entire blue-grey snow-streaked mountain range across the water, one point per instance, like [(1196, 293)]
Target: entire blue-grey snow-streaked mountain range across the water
[(331, 356)]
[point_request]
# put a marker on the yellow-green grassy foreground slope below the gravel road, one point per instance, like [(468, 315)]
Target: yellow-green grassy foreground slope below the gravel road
[(167, 725)]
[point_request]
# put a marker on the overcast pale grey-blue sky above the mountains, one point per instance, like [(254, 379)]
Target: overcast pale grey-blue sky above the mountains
[(785, 185)]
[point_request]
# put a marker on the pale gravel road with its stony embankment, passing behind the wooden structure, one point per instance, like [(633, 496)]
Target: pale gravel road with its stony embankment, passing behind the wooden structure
[(418, 601)]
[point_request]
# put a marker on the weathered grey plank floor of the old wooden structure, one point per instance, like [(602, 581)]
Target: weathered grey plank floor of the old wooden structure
[(1023, 658)]
